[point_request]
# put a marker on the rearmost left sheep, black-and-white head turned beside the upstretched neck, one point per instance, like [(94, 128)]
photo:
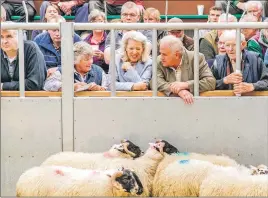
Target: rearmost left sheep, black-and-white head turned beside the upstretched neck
[(82, 160)]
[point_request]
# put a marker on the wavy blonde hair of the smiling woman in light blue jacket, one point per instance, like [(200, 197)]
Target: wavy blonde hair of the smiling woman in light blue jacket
[(139, 37)]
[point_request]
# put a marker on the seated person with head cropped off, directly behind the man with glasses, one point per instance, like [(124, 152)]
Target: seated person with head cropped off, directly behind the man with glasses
[(114, 7)]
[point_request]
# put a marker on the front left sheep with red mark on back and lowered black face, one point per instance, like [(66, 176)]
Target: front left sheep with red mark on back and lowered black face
[(67, 181)]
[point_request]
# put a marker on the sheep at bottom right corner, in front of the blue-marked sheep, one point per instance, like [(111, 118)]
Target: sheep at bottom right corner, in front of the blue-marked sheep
[(224, 182)]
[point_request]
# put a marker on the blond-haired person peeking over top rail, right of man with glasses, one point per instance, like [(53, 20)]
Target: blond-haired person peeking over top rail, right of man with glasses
[(152, 15)]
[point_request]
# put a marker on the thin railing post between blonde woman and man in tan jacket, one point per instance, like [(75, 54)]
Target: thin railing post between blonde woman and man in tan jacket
[(154, 77)]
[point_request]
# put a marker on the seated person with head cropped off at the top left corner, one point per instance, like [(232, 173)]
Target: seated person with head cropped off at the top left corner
[(15, 7)]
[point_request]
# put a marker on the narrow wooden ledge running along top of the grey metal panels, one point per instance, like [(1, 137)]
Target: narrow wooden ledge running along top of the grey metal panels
[(218, 93)]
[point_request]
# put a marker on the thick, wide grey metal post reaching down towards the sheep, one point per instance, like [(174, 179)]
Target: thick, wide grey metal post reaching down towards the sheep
[(67, 102)]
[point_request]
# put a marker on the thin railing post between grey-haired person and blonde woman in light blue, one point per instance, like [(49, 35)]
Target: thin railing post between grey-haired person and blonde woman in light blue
[(112, 63)]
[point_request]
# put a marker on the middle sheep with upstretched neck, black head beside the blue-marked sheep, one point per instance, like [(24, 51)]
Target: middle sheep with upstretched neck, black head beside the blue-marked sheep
[(144, 166)]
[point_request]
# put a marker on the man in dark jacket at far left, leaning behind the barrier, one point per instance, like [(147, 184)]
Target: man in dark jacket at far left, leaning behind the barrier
[(34, 63)]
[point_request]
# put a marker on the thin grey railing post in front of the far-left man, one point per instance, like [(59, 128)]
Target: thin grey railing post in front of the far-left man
[(21, 64)]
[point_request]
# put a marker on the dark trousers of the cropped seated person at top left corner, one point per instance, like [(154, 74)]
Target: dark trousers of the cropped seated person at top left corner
[(17, 9)]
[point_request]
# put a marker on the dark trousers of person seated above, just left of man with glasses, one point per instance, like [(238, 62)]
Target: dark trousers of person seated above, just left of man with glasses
[(111, 9)]
